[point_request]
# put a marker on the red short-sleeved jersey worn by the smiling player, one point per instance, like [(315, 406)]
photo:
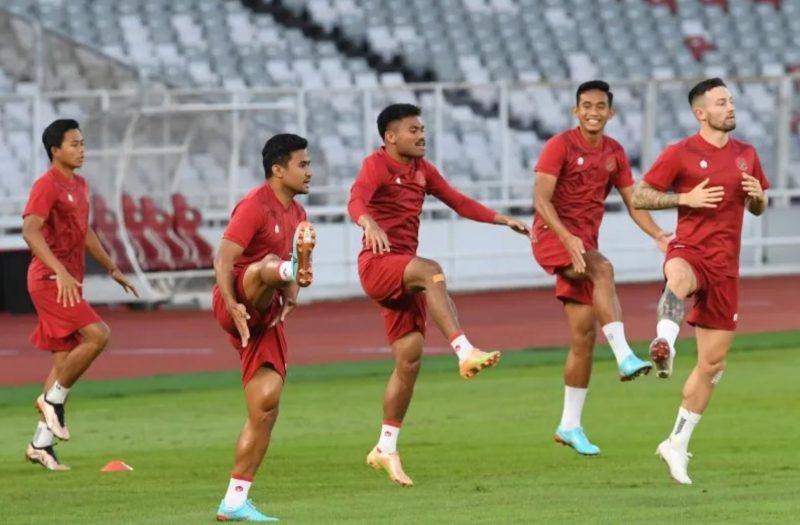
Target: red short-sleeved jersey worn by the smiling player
[(585, 175)]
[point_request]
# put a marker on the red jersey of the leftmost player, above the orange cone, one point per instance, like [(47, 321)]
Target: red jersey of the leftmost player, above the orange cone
[(64, 205)]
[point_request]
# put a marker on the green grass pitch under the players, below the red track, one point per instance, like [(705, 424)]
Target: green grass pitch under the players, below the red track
[(479, 451)]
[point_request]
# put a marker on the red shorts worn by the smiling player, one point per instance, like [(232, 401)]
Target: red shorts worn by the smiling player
[(551, 256)]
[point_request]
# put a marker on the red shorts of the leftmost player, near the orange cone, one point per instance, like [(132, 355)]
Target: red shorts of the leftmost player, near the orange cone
[(57, 329)]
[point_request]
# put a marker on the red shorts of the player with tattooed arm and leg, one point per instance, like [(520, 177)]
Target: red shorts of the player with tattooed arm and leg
[(716, 299)]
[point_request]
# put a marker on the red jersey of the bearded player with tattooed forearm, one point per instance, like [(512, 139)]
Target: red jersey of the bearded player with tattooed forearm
[(715, 232)]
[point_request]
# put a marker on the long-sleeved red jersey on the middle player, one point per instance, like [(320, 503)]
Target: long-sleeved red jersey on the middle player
[(392, 193)]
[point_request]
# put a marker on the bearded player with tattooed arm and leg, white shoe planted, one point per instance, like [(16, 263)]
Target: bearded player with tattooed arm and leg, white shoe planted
[(714, 178)]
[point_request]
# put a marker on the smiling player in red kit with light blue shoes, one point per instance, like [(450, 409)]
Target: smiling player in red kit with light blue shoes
[(574, 174)]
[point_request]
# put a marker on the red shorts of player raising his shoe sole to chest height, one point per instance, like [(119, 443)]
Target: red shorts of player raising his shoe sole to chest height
[(267, 346)]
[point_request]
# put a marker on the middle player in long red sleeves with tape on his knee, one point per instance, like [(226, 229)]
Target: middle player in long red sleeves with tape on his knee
[(386, 201)]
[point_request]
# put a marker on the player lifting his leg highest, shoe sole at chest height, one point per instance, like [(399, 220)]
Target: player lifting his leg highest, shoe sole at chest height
[(263, 260)]
